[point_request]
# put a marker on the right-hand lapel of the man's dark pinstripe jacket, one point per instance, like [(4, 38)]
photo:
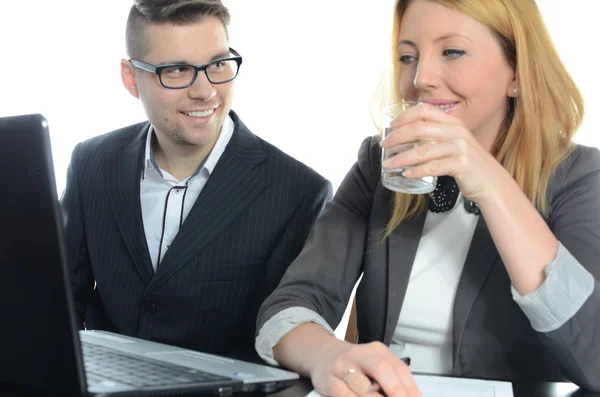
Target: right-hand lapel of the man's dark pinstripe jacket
[(231, 187)]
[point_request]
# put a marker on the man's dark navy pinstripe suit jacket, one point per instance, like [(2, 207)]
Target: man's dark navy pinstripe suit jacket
[(248, 224)]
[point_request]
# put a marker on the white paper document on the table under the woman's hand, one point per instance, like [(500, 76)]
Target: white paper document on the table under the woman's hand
[(440, 386)]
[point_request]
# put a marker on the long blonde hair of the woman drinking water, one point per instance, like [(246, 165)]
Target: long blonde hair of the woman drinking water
[(540, 123)]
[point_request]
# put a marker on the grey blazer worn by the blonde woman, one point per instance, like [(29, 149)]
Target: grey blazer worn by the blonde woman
[(492, 337)]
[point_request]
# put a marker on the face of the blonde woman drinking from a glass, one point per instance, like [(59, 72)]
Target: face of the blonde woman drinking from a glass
[(452, 61)]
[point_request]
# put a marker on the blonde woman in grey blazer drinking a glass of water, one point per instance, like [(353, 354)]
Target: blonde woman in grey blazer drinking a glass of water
[(504, 288)]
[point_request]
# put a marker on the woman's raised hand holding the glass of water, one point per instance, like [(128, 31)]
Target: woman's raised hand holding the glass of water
[(447, 148)]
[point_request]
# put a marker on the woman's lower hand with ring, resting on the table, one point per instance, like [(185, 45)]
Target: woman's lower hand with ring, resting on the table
[(349, 370)]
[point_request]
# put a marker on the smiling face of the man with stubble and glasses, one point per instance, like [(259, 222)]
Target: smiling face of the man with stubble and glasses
[(193, 116)]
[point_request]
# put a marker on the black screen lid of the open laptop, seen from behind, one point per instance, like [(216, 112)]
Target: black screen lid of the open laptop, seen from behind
[(39, 346)]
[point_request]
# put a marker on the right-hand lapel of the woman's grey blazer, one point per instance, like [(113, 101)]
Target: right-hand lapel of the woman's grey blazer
[(480, 260)]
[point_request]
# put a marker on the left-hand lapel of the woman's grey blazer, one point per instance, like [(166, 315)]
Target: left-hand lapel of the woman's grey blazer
[(402, 249)]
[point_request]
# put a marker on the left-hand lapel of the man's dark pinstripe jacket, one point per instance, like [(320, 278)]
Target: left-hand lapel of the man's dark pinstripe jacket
[(122, 177)]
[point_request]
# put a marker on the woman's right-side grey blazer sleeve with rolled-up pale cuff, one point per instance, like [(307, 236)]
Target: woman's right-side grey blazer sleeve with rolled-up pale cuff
[(565, 309)]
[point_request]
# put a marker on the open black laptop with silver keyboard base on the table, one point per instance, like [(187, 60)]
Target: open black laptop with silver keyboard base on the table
[(41, 350)]
